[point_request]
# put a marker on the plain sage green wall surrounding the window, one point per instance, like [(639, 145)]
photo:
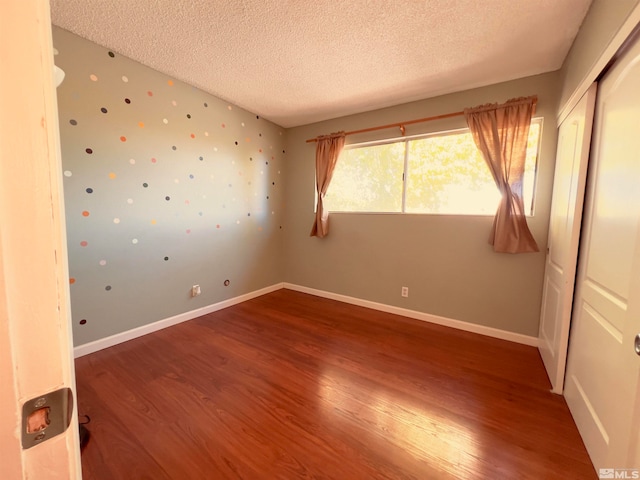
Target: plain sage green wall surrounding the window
[(445, 261)]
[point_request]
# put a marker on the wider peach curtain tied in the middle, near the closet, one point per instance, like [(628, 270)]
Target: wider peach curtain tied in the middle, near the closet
[(501, 133)]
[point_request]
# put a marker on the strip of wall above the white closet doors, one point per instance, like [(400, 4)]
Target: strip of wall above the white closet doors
[(602, 22)]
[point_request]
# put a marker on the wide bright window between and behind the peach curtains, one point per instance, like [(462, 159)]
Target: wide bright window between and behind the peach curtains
[(440, 173)]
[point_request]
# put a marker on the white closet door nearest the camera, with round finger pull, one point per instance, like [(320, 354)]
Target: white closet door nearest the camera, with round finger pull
[(603, 370)]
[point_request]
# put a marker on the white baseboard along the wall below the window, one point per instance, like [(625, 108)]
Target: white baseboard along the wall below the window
[(426, 317)]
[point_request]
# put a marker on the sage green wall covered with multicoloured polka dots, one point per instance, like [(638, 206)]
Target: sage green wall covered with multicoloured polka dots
[(165, 187)]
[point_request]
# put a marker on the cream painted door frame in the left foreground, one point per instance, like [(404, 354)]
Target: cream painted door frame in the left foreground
[(35, 322)]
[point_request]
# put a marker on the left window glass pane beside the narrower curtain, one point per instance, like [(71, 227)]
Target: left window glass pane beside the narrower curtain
[(368, 179)]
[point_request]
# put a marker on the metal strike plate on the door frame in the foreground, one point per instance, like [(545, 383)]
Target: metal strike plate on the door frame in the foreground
[(46, 416)]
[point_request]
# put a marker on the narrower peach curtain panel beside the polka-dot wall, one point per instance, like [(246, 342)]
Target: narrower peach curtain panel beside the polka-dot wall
[(328, 150)]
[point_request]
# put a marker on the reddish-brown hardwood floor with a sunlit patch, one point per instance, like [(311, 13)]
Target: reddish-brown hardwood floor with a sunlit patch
[(289, 386)]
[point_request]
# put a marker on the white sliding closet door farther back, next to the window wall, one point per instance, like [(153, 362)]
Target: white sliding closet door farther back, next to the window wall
[(574, 135)]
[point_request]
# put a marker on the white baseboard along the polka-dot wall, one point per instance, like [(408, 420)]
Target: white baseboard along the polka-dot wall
[(92, 347)]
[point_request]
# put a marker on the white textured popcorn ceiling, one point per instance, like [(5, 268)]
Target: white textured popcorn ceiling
[(297, 62)]
